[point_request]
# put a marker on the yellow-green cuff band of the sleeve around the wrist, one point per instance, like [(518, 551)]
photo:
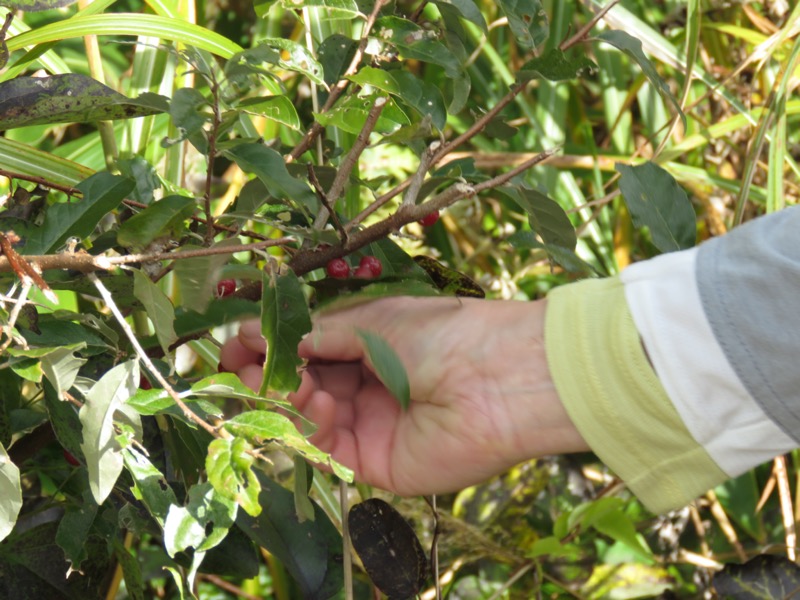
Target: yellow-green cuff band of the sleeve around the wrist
[(615, 399)]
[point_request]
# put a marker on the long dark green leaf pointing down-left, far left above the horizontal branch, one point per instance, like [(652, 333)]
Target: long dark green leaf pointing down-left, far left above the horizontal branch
[(102, 193)]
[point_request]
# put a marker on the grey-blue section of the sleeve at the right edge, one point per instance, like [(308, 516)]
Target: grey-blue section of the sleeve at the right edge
[(749, 282)]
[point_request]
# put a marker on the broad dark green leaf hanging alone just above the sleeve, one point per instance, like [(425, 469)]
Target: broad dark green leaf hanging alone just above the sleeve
[(657, 201)]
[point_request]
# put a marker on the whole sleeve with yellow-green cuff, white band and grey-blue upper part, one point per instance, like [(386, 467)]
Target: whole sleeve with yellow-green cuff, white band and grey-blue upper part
[(711, 338)]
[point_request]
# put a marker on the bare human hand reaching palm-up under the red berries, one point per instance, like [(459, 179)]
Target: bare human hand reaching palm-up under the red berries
[(482, 399)]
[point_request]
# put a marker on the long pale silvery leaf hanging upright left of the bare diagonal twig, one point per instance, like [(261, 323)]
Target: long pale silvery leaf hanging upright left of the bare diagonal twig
[(100, 445)]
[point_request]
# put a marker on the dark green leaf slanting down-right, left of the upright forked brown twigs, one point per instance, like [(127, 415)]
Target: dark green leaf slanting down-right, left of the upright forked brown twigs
[(270, 168)]
